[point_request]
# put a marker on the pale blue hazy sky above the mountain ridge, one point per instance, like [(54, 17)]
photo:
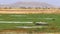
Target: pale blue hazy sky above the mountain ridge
[(53, 2)]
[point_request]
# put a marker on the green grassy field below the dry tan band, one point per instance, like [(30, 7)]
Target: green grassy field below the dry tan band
[(52, 19)]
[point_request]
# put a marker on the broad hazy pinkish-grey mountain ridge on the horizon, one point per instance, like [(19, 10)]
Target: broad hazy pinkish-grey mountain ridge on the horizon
[(29, 4)]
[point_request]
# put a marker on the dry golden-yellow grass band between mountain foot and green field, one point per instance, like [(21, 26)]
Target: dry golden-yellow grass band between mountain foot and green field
[(28, 11)]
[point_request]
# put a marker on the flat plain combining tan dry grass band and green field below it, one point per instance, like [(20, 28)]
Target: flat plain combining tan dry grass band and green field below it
[(9, 19)]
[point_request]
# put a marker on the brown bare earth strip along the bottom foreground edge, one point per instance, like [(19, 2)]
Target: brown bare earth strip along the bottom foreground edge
[(23, 32)]
